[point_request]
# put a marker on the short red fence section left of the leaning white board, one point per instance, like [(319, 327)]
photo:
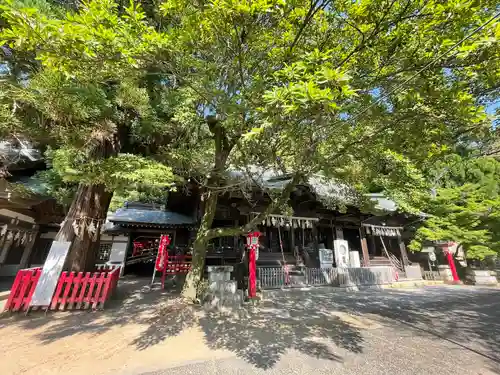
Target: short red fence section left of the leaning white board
[(22, 289)]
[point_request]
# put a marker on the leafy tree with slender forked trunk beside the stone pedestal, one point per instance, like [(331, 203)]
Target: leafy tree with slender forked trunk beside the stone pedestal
[(321, 86)]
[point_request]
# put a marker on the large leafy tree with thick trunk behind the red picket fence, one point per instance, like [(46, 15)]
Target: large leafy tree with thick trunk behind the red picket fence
[(74, 84)]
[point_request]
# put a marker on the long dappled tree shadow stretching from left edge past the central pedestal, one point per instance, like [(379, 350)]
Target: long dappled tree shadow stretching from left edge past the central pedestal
[(260, 335)]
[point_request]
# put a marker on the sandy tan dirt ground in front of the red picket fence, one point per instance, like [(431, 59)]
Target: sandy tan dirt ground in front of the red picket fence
[(140, 331)]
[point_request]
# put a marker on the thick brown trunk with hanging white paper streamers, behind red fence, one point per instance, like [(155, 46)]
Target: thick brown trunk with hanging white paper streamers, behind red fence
[(90, 203)]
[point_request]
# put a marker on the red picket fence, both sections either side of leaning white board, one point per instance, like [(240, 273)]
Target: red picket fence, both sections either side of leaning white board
[(73, 291)]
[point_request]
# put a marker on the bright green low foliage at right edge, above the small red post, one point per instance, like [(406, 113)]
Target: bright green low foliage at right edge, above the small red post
[(466, 208)]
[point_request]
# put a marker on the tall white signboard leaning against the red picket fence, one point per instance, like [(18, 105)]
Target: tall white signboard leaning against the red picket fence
[(50, 273)]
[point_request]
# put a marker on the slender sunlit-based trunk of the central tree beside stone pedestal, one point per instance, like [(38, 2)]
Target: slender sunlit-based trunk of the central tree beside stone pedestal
[(200, 248)]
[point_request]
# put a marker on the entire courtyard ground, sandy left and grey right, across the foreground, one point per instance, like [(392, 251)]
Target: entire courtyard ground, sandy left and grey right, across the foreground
[(441, 330)]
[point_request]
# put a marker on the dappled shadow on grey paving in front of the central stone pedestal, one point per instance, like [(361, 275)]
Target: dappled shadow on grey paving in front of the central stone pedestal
[(261, 335)]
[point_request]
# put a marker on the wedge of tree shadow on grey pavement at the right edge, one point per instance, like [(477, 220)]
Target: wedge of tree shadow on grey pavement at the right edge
[(468, 317)]
